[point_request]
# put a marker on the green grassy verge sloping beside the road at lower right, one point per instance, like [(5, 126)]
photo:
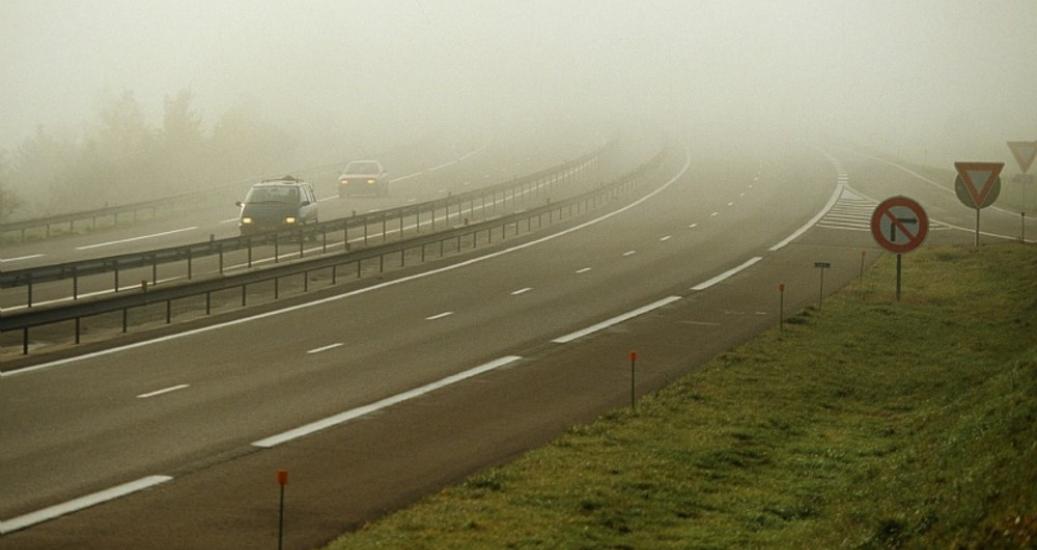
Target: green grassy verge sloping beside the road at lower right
[(871, 424)]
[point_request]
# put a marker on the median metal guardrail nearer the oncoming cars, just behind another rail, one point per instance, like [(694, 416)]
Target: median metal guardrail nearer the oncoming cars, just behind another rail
[(217, 247)]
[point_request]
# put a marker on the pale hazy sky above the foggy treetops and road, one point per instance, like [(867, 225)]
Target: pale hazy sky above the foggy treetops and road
[(902, 74)]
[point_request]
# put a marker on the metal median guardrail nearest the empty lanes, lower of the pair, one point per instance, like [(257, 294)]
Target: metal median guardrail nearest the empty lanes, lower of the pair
[(582, 203)]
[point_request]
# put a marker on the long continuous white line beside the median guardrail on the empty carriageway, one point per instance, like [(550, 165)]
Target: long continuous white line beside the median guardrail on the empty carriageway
[(322, 301)]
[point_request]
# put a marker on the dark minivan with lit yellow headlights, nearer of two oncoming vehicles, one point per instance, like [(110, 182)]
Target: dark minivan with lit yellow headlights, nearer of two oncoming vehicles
[(277, 205)]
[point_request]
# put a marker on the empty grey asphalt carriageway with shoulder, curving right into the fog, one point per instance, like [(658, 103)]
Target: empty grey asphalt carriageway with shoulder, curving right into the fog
[(374, 396)]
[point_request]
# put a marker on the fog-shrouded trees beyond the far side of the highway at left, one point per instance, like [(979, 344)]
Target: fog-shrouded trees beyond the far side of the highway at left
[(122, 158)]
